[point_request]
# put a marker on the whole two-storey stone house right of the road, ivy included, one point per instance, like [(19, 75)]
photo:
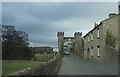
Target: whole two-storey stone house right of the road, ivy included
[(101, 43)]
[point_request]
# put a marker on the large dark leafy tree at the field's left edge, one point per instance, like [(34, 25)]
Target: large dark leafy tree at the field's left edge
[(15, 44)]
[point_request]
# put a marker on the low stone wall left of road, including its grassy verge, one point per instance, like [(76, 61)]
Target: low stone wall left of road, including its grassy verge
[(49, 68)]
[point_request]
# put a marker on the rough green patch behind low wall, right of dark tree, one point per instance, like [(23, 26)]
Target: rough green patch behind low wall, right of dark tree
[(44, 58)]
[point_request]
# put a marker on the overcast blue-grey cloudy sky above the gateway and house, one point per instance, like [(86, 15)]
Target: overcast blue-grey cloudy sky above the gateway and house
[(42, 20)]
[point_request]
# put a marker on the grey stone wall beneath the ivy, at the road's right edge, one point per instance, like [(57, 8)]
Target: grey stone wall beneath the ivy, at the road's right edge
[(109, 55)]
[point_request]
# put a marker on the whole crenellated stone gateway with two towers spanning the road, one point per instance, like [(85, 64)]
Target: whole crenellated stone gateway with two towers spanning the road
[(77, 39)]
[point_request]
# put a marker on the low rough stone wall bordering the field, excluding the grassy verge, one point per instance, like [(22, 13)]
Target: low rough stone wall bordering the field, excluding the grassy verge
[(42, 69)]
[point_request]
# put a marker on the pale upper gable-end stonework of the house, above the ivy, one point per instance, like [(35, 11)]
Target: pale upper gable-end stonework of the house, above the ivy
[(111, 24)]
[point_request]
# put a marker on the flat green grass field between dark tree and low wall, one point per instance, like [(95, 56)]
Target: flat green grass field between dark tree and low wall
[(11, 66)]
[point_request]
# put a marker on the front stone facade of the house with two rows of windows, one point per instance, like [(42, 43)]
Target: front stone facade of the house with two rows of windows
[(91, 45)]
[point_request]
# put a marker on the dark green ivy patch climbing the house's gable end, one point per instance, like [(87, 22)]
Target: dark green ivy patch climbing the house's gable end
[(110, 39)]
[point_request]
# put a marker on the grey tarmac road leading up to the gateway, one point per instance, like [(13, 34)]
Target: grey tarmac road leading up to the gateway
[(73, 65)]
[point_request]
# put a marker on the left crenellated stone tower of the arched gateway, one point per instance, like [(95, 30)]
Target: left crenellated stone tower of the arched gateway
[(60, 36)]
